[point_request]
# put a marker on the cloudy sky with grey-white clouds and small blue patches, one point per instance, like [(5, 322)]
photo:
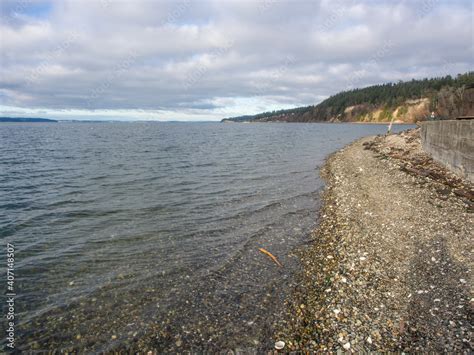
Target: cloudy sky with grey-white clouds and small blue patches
[(207, 60)]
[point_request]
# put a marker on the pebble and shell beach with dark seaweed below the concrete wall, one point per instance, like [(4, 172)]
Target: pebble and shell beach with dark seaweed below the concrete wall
[(390, 265)]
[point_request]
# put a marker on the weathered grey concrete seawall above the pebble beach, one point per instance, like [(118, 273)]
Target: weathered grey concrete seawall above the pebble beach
[(452, 144)]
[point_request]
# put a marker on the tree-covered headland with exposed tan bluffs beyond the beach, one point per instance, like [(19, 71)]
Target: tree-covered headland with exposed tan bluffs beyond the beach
[(402, 102)]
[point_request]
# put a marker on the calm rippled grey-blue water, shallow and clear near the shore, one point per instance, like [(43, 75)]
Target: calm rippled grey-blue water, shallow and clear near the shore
[(140, 235)]
